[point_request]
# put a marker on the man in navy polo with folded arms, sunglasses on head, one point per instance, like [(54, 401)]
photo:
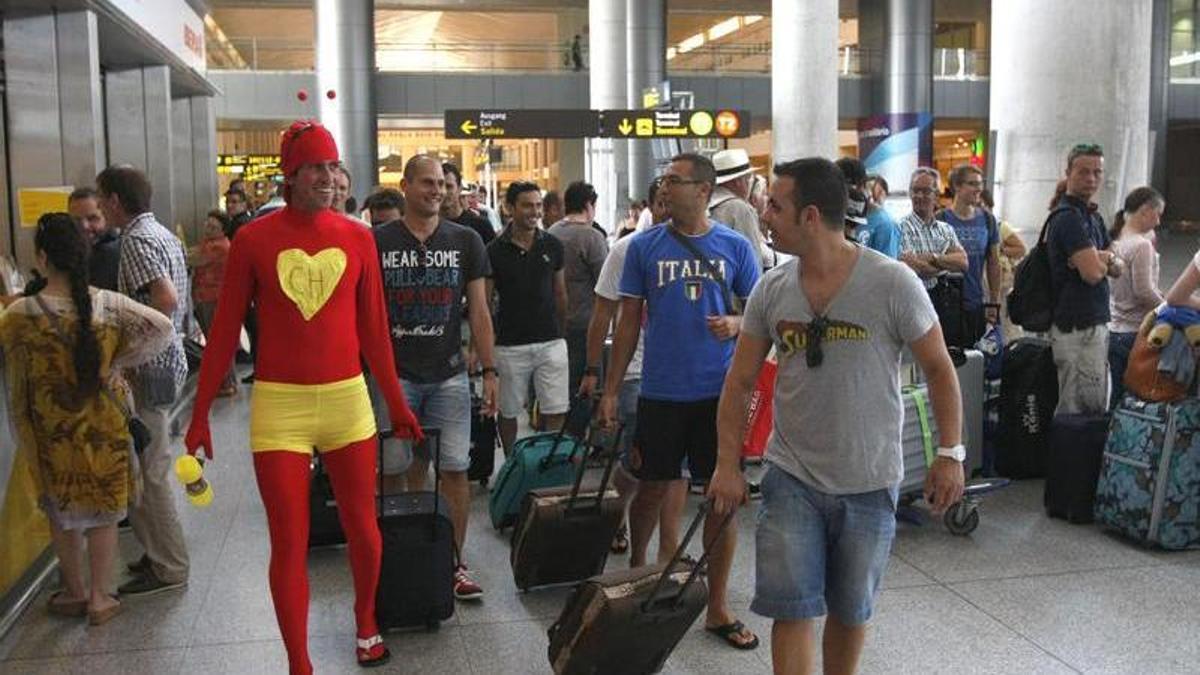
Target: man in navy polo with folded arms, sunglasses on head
[(1081, 267)]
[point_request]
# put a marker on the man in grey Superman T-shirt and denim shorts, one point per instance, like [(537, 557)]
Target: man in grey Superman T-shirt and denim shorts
[(838, 318)]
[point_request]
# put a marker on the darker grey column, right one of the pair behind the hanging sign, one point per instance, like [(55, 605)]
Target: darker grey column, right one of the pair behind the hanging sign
[(646, 65)]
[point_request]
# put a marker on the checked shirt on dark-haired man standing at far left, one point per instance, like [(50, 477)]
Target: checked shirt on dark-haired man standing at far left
[(149, 253)]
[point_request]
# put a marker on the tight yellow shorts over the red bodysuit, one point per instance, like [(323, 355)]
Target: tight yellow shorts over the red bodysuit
[(303, 417)]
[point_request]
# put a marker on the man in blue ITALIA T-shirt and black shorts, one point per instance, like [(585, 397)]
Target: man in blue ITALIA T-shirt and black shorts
[(691, 331)]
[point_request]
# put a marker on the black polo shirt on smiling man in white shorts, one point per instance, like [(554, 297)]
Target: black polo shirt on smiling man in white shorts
[(525, 284)]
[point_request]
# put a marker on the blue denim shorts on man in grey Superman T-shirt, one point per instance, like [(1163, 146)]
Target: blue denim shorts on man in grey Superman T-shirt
[(820, 554)]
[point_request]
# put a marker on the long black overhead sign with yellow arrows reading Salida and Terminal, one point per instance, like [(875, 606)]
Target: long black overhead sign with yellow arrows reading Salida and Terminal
[(663, 123)]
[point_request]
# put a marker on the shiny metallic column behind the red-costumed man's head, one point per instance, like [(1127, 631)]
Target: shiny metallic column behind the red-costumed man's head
[(346, 67)]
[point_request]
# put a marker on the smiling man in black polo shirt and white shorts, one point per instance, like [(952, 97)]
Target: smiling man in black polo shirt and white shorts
[(531, 321)]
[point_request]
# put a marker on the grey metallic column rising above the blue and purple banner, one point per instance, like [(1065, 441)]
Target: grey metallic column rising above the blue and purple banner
[(908, 80)]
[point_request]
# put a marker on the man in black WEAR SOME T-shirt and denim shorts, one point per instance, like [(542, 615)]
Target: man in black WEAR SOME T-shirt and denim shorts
[(430, 266)]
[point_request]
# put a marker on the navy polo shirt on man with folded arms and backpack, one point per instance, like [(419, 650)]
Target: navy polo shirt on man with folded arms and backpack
[(1078, 304)]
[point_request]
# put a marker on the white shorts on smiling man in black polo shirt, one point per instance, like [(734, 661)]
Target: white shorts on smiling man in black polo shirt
[(547, 365)]
